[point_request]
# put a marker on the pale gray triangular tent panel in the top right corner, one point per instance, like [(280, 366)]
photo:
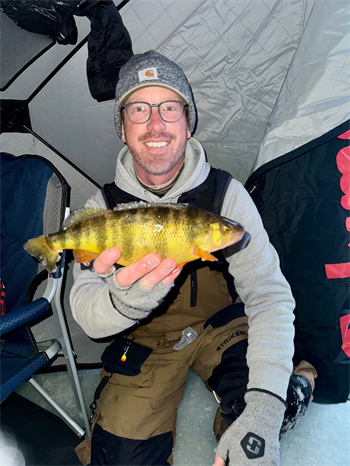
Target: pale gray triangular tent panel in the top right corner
[(315, 96)]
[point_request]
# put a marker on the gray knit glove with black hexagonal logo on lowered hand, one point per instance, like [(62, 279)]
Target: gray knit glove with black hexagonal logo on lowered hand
[(253, 438)]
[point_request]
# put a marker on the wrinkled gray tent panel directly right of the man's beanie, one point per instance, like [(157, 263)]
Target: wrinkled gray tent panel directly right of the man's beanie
[(236, 55)]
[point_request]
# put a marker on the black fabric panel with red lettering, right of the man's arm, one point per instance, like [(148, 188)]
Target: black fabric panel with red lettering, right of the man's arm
[(300, 204)]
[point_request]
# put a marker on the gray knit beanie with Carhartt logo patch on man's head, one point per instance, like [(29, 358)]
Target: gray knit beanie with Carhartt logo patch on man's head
[(147, 69)]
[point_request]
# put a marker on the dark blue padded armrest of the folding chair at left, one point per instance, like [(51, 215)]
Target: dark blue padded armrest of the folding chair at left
[(23, 315)]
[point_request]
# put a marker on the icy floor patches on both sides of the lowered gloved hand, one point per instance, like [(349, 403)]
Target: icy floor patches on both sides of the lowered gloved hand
[(321, 438)]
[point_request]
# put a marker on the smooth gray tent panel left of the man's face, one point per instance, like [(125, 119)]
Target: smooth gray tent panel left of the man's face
[(67, 117)]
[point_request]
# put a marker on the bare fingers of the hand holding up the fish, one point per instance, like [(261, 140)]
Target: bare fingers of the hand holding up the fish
[(150, 270)]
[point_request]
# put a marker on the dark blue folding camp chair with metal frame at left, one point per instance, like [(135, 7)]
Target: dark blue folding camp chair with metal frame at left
[(33, 201)]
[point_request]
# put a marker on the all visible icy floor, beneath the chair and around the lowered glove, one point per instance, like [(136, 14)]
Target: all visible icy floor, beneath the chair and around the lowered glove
[(321, 438)]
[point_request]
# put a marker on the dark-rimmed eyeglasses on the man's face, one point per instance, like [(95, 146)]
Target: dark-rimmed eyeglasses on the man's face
[(169, 111)]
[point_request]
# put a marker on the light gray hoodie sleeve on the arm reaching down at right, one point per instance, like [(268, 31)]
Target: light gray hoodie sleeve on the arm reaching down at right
[(267, 297)]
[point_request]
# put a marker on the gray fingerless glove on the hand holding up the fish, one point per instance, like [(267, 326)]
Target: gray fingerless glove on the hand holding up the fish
[(133, 301)]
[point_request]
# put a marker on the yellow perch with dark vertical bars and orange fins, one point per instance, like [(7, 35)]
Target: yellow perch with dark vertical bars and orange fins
[(179, 231)]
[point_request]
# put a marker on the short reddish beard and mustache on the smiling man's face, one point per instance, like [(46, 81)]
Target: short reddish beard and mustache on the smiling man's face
[(151, 168)]
